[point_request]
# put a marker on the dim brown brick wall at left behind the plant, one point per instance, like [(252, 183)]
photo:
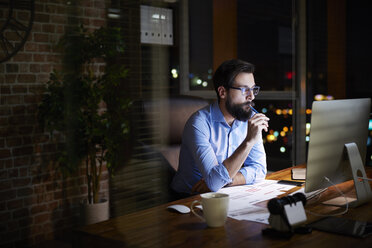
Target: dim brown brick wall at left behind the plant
[(36, 202)]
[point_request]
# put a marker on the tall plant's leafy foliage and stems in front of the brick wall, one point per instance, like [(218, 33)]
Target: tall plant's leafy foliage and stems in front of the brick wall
[(87, 107)]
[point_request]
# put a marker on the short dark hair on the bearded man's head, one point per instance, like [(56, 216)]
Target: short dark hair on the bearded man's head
[(227, 71)]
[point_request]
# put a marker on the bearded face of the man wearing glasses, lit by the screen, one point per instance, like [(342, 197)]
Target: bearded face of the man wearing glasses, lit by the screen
[(237, 104)]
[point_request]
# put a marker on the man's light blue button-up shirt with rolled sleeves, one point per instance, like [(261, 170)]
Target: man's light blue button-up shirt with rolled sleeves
[(207, 141)]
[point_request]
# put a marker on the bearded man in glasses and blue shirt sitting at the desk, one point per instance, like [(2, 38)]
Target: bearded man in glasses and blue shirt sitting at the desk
[(222, 143)]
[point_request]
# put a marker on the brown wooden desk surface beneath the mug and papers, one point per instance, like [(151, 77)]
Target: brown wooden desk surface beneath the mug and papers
[(157, 227)]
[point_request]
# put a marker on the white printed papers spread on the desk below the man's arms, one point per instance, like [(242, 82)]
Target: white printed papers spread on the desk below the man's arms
[(243, 198)]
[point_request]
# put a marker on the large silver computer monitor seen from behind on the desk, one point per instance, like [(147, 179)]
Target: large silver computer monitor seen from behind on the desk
[(337, 146)]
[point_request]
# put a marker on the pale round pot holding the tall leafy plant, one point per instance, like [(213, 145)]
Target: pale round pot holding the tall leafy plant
[(93, 213)]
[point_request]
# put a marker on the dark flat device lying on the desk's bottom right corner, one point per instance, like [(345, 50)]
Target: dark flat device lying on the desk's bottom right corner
[(343, 226)]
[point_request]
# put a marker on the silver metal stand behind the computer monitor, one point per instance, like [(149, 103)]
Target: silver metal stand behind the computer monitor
[(362, 187)]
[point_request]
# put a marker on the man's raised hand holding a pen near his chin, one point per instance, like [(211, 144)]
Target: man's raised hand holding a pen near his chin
[(256, 124)]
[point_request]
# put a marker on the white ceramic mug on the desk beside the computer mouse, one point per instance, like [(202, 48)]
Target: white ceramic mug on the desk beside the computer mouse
[(215, 207)]
